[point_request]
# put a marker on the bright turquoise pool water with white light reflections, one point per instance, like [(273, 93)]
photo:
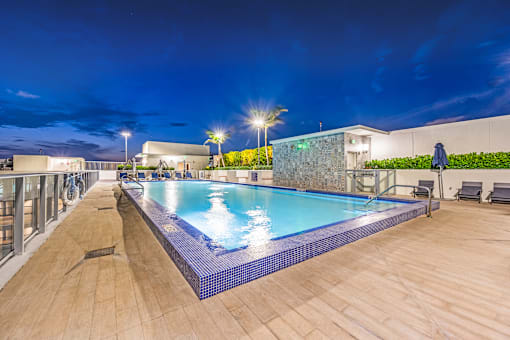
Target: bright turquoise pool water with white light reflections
[(235, 216)]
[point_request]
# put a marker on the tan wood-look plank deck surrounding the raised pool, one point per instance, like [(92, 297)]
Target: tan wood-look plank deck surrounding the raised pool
[(445, 277)]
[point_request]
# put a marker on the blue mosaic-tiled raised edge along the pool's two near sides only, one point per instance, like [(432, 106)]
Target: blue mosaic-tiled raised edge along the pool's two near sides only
[(209, 274)]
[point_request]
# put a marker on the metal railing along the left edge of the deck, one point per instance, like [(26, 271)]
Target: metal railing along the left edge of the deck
[(28, 203)]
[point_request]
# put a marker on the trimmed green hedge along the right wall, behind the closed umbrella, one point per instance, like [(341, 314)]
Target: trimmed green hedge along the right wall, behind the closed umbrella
[(483, 160)]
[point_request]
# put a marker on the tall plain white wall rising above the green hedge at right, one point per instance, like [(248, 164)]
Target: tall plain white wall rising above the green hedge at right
[(480, 135)]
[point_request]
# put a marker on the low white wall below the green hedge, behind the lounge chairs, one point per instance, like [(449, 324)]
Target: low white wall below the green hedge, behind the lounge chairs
[(452, 179)]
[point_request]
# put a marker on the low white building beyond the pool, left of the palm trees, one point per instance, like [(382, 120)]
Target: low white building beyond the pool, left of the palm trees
[(179, 156)]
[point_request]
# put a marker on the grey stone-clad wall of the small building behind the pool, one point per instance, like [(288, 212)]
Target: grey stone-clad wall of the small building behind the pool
[(312, 163)]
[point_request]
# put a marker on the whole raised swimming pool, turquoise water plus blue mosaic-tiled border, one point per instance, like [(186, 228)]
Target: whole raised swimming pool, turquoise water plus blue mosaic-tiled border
[(223, 235)]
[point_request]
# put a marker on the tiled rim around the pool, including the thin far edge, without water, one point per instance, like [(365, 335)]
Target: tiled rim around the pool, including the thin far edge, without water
[(209, 273)]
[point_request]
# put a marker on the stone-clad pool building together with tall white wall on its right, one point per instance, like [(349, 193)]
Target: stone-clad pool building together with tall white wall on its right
[(319, 160)]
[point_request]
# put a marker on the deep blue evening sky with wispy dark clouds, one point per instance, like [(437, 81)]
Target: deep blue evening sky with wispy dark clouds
[(73, 75)]
